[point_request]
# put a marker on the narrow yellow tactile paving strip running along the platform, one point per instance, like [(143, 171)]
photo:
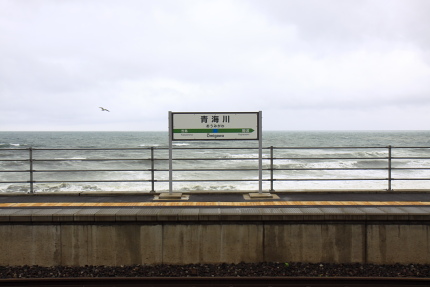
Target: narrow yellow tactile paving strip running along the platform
[(216, 204)]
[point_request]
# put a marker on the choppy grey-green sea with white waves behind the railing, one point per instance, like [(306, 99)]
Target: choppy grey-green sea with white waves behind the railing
[(139, 162)]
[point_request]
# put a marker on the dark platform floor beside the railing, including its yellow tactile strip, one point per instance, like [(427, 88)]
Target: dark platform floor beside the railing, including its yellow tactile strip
[(214, 199)]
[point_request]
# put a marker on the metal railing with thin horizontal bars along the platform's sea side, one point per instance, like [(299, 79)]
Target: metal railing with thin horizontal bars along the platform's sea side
[(280, 164)]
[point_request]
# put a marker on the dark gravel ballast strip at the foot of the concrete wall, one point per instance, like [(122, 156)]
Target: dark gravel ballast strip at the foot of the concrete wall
[(220, 270)]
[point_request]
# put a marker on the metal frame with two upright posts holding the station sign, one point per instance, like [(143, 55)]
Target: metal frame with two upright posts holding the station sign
[(214, 131)]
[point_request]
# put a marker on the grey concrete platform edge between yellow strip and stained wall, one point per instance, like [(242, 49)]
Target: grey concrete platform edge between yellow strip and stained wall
[(156, 215)]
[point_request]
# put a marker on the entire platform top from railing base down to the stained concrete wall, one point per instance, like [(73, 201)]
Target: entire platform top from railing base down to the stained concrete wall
[(118, 208)]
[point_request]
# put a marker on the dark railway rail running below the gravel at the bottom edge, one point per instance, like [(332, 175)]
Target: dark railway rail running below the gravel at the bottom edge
[(221, 282)]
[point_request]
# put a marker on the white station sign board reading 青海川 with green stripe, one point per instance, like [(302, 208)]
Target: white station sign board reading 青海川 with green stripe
[(215, 126)]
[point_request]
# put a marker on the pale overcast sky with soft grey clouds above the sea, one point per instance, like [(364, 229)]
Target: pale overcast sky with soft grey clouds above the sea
[(307, 65)]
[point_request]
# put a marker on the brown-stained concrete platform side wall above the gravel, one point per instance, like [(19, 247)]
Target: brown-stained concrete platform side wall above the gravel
[(125, 243)]
